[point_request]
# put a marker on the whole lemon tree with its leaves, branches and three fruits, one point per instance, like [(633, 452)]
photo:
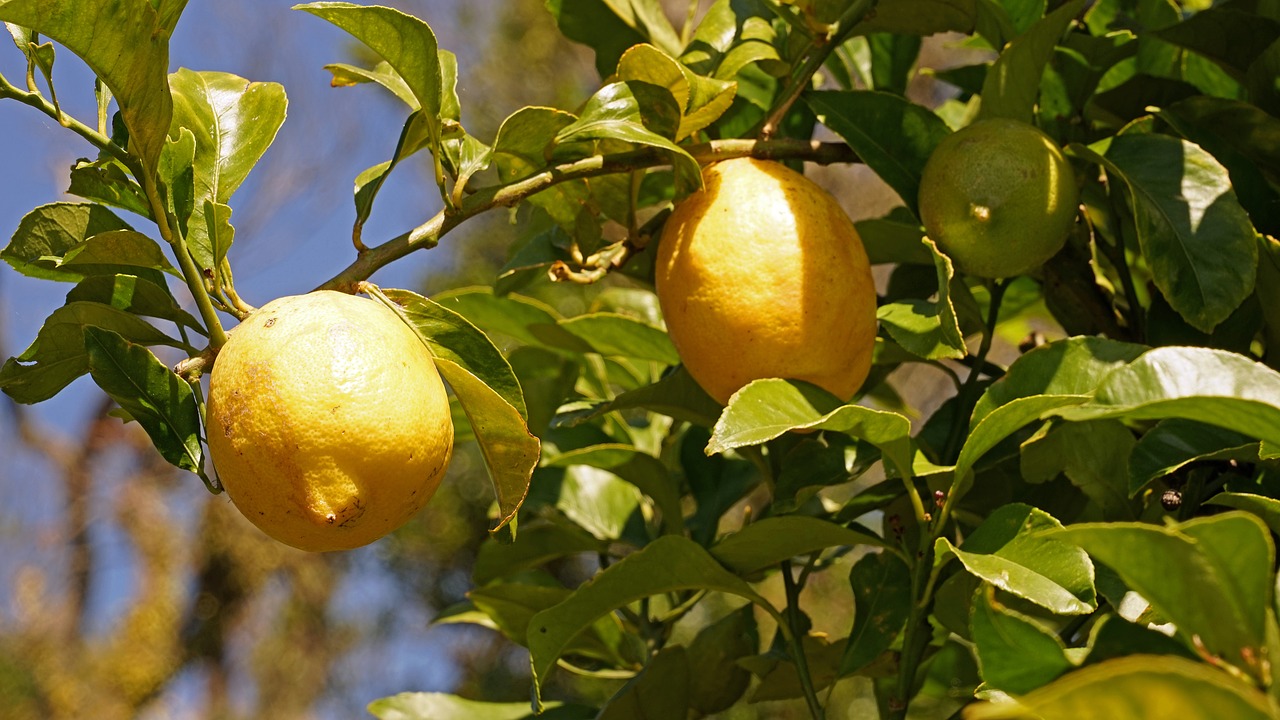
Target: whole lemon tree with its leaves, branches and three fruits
[(1039, 385)]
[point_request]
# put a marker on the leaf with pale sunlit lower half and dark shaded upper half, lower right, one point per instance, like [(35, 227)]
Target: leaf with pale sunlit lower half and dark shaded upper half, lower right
[(1012, 552)]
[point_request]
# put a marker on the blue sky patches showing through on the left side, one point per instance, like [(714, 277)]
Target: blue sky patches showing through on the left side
[(292, 218)]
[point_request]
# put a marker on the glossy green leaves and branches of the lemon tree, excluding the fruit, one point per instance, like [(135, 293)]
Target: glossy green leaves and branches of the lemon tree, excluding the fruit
[(1020, 541)]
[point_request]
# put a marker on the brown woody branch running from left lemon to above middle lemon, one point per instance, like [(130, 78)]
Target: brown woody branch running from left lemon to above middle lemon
[(429, 234)]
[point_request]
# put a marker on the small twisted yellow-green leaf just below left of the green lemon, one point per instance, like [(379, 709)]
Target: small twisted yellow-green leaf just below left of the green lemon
[(929, 330)]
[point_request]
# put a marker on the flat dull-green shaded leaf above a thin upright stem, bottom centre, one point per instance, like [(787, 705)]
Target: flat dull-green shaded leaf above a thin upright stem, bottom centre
[(770, 541)]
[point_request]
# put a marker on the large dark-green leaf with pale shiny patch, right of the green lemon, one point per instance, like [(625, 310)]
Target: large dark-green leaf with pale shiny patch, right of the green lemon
[(1197, 240)]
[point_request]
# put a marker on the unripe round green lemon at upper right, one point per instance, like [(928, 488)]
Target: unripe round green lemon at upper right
[(999, 198)]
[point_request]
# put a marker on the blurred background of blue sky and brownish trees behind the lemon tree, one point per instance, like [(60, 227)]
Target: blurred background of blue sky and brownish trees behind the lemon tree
[(129, 591)]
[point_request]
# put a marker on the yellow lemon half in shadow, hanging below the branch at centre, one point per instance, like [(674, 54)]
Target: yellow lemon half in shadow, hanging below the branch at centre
[(761, 275)]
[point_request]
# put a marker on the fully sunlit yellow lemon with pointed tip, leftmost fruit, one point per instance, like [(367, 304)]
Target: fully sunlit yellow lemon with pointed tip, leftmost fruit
[(328, 423)]
